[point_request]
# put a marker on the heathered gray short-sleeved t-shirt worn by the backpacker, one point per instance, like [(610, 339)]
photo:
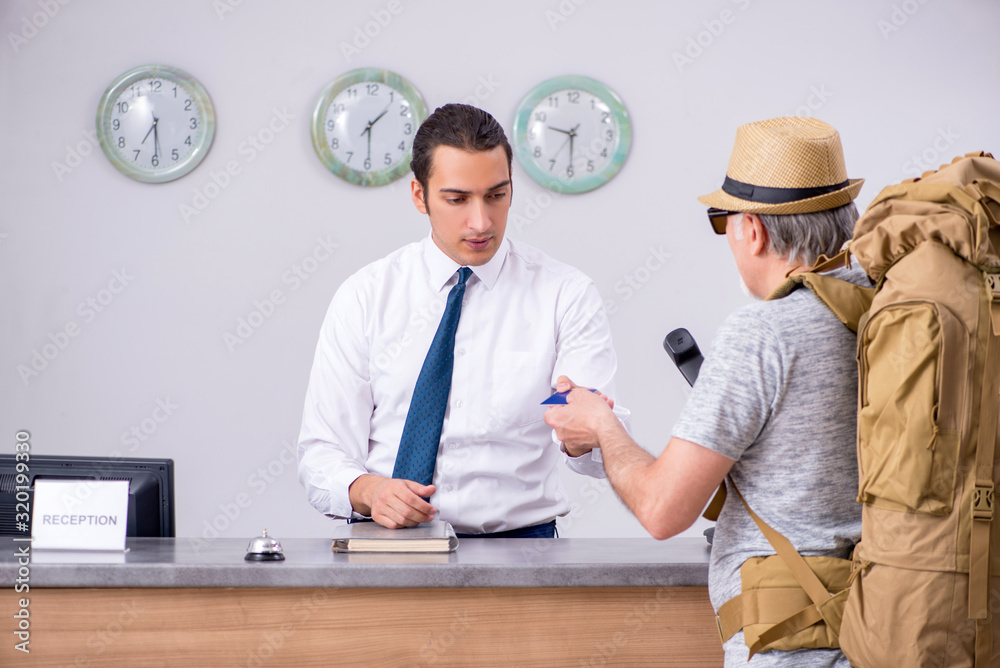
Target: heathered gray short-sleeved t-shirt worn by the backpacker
[(778, 394)]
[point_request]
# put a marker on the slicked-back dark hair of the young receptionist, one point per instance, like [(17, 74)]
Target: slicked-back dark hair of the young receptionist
[(459, 126)]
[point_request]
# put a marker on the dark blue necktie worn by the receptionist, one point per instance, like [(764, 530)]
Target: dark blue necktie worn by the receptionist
[(422, 432)]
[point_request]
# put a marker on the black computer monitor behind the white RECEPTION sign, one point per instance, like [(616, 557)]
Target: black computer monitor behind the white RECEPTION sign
[(150, 493)]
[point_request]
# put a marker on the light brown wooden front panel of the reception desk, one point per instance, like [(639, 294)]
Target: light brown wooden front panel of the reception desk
[(613, 626)]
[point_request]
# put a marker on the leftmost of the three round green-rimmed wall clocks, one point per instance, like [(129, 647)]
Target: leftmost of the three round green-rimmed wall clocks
[(155, 123)]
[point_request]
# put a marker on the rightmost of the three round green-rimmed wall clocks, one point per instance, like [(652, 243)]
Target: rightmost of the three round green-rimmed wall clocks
[(572, 134)]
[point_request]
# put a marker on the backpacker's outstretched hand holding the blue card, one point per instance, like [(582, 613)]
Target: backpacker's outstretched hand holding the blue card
[(580, 423)]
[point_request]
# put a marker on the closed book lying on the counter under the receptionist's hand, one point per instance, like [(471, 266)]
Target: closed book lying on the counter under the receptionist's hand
[(434, 536)]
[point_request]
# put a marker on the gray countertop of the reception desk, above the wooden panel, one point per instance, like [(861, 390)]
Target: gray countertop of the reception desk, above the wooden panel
[(478, 562)]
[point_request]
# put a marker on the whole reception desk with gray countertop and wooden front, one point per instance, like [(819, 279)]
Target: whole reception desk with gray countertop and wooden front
[(492, 602)]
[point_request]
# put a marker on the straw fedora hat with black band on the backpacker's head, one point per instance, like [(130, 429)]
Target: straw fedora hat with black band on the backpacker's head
[(783, 166)]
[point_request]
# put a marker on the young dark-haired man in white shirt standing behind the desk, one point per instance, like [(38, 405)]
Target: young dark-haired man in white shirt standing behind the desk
[(525, 320)]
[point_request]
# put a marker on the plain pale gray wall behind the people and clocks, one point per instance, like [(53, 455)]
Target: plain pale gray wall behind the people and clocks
[(906, 82)]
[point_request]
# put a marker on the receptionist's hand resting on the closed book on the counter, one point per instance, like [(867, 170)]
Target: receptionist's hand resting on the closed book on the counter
[(392, 502)]
